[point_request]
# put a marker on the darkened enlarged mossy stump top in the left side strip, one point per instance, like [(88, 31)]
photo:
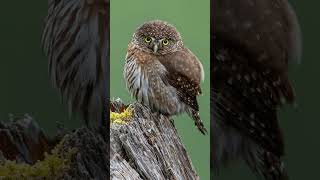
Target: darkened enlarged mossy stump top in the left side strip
[(23, 145)]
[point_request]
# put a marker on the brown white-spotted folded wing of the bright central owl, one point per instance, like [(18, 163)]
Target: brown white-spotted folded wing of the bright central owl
[(184, 72)]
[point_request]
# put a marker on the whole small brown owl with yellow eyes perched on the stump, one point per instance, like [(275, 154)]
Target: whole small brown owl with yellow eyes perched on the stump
[(161, 73)]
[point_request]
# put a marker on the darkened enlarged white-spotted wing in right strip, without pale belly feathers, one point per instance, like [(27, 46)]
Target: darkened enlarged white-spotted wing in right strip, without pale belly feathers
[(251, 65)]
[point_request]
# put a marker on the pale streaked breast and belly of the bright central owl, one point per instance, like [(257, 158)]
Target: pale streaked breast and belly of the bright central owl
[(146, 82)]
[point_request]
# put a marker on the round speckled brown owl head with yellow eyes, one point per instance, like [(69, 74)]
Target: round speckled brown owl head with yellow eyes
[(157, 37)]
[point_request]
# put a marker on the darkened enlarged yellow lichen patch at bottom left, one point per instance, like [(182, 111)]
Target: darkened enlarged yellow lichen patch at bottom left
[(53, 165)]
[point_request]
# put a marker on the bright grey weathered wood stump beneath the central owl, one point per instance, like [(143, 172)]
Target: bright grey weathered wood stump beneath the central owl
[(148, 147)]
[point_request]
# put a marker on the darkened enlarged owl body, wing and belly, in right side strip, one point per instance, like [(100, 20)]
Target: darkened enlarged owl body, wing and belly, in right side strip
[(253, 42)]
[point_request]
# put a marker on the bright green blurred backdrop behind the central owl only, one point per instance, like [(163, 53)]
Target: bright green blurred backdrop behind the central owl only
[(192, 20)]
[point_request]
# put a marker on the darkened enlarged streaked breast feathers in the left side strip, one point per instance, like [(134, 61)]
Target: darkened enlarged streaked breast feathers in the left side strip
[(75, 39)]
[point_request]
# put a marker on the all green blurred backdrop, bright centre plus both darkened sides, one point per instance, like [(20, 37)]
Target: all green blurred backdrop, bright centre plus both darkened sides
[(26, 88)]
